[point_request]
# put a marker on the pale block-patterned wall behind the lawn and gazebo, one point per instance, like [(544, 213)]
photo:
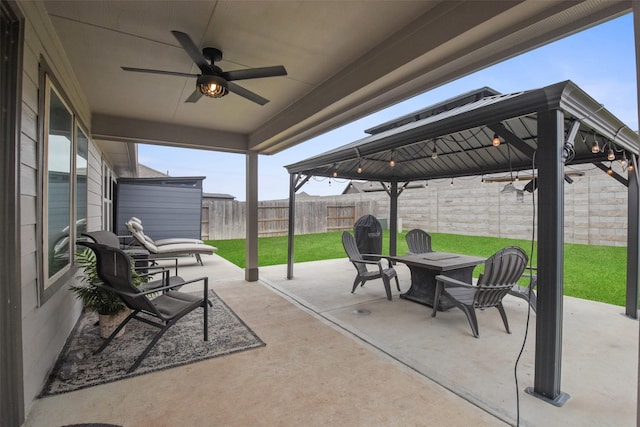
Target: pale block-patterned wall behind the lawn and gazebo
[(595, 207)]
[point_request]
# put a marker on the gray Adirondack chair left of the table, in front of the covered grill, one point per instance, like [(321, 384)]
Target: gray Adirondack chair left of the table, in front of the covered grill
[(360, 263)]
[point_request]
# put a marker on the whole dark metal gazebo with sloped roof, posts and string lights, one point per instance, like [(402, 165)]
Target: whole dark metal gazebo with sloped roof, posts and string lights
[(484, 132)]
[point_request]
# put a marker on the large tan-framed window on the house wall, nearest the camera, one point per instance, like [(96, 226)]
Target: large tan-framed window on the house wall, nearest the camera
[(63, 170)]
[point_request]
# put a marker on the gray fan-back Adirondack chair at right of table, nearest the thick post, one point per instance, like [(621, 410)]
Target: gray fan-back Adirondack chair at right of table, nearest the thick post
[(501, 272)]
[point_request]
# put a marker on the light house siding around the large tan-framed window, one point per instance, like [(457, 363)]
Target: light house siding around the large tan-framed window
[(44, 327)]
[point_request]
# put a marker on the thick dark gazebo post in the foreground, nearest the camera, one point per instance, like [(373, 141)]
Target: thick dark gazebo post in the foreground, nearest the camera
[(548, 353)]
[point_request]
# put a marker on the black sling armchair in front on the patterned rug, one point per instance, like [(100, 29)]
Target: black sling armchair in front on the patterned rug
[(161, 311)]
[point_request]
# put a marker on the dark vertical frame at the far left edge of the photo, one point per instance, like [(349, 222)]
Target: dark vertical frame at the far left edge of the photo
[(12, 404)]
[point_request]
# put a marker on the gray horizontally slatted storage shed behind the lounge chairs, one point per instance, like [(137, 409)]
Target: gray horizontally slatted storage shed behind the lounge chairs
[(168, 207)]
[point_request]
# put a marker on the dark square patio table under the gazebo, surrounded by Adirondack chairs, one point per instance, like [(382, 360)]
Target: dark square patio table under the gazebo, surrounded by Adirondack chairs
[(426, 266)]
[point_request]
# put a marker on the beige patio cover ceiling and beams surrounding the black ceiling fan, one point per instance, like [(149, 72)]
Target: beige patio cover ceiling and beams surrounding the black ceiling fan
[(345, 59)]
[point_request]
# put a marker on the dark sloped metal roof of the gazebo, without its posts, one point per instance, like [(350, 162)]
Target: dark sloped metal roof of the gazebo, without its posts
[(461, 130)]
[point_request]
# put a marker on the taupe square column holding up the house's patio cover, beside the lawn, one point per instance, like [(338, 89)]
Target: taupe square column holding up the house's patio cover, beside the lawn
[(251, 264)]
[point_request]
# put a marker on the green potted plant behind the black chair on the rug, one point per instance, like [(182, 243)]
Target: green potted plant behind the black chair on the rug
[(110, 308)]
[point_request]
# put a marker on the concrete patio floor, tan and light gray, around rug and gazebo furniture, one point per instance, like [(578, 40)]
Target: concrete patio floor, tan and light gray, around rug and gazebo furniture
[(325, 363)]
